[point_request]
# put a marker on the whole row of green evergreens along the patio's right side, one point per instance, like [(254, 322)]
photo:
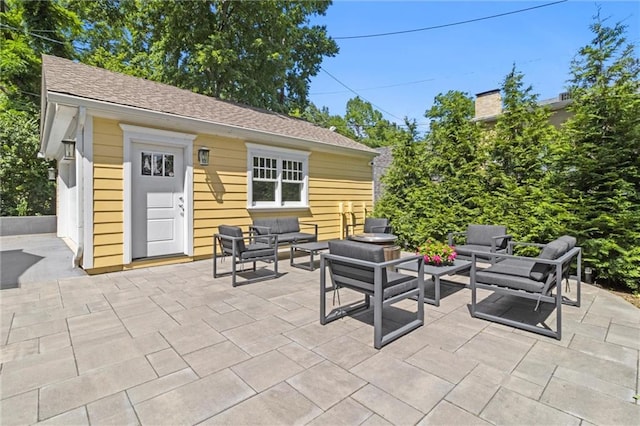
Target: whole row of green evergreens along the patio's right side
[(541, 182)]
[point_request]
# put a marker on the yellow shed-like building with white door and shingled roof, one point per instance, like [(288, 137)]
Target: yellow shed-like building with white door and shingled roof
[(135, 192)]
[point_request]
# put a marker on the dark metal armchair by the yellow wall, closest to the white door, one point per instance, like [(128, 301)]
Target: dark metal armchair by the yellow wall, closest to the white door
[(244, 249)]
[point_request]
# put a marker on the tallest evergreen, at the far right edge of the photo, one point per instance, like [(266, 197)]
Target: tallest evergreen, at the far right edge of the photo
[(602, 167)]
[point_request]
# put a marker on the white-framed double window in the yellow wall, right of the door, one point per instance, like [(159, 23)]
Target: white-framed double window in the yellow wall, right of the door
[(277, 177)]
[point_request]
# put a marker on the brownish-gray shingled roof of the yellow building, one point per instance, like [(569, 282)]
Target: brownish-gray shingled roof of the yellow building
[(68, 77)]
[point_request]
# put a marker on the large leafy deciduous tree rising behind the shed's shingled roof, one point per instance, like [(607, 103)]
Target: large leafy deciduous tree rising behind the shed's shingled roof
[(258, 53)]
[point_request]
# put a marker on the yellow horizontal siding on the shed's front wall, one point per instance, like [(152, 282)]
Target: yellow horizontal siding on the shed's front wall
[(220, 191)]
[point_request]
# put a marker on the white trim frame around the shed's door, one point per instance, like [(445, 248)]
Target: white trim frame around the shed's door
[(157, 137)]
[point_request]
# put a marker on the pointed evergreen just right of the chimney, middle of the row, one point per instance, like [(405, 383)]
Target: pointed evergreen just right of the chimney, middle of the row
[(521, 174)]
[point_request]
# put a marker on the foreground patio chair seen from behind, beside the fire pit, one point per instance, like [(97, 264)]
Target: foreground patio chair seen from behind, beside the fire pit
[(361, 267)]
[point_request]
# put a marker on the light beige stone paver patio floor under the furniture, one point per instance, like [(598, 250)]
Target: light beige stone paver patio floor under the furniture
[(171, 345)]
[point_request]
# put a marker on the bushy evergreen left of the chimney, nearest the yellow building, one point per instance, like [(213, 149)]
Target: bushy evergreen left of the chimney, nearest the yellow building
[(432, 186)]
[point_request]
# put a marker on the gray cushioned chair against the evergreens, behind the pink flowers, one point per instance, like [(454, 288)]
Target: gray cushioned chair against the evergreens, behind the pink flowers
[(484, 240)]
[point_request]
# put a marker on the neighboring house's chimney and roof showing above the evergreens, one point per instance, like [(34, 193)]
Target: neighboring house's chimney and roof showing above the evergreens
[(488, 107)]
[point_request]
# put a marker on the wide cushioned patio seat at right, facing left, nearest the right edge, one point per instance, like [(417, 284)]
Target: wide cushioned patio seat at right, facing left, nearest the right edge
[(530, 278)]
